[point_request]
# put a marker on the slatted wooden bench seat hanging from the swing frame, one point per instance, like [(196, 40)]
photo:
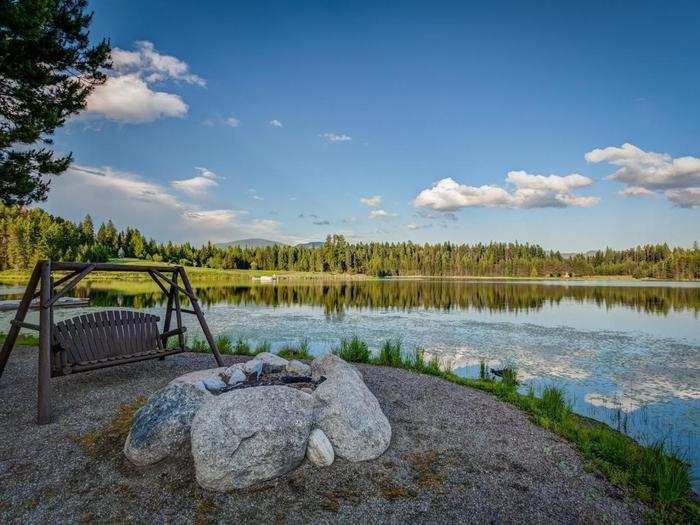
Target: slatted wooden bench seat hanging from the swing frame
[(108, 338)]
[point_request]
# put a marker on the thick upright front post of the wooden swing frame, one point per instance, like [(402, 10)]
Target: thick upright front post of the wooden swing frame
[(44, 390)]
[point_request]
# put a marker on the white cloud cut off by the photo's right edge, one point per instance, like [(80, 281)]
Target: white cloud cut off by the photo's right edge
[(645, 172)]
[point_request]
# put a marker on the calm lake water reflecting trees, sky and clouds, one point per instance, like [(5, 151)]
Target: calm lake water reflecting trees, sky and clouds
[(626, 353)]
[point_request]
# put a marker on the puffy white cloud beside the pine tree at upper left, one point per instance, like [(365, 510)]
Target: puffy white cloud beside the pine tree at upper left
[(128, 96)]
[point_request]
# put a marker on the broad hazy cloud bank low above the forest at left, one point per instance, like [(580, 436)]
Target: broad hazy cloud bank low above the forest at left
[(130, 199)]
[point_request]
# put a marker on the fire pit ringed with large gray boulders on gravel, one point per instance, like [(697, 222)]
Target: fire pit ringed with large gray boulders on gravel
[(257, 420)]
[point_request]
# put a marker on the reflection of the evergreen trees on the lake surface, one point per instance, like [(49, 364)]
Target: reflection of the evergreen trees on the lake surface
[(336, 297)]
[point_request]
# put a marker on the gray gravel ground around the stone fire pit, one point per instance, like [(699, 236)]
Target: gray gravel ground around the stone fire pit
[(456, 455)]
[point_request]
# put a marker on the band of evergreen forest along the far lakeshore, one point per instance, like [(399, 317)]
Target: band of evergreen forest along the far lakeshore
[(30, 234)]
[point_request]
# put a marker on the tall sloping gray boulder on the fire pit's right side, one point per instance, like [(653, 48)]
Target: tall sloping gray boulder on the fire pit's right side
[(347, 412)]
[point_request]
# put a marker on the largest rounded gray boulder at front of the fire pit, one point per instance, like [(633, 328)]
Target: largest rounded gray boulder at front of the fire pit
[(250, 435)]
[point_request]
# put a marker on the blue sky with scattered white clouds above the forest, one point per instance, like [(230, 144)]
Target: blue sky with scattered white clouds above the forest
[(571, 125)]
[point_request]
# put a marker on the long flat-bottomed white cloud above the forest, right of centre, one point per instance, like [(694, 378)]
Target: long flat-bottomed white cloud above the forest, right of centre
[(531, 191)]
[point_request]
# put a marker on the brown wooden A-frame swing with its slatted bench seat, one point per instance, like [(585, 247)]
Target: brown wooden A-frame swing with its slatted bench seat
[(102, 339)]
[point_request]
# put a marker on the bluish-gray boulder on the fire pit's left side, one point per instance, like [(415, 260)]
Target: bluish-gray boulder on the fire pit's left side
[(161, 428)]
